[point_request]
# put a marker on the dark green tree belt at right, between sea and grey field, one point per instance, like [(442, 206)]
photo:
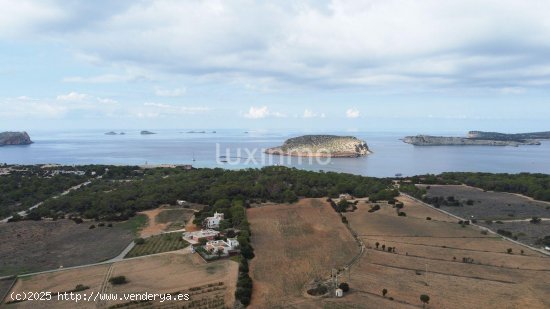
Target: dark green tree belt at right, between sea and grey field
[(536, 186)]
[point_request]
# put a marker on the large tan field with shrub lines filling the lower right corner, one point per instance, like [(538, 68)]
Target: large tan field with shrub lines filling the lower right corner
[(465, 268)]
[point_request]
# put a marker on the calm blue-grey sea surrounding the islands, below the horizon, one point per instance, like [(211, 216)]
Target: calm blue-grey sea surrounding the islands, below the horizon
[(237, 149)]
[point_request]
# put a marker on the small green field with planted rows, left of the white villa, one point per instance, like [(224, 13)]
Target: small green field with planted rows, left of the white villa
[(158, 244)]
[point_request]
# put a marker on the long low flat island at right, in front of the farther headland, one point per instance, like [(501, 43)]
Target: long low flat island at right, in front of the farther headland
[(427, 140)]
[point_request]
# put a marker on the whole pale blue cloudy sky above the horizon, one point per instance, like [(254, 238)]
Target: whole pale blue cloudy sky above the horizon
[(389, 65)]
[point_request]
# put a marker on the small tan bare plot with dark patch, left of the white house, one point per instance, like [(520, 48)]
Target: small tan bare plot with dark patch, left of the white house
[(165, 219)]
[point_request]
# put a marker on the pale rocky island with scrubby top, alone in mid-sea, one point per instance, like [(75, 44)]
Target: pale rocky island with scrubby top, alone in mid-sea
[(322, 146)]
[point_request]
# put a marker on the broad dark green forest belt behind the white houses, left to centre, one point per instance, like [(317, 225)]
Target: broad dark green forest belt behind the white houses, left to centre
[(120, 200)]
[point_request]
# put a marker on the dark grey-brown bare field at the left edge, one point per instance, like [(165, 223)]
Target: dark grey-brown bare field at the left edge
[(29, 246)]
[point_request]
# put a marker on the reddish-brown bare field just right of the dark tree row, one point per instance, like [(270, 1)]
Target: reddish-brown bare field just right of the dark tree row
[(295, 244)]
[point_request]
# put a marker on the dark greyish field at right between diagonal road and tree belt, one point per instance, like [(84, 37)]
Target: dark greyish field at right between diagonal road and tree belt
[(489, 205)]
